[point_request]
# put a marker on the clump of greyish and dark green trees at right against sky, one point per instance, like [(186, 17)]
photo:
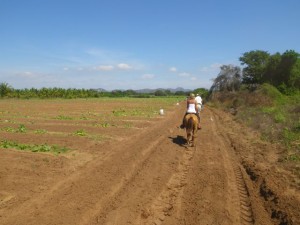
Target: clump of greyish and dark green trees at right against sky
[(279, 70)]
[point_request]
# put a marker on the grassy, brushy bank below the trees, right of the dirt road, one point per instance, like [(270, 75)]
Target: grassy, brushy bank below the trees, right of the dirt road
[(273, 114)]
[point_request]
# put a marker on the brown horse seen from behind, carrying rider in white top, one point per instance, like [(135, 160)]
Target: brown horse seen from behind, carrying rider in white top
[(191, 127)]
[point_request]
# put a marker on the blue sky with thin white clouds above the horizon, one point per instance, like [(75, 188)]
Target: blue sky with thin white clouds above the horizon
[(135, 44)]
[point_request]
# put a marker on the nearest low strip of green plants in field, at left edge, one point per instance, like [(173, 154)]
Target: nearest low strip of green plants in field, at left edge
[(32, 147)]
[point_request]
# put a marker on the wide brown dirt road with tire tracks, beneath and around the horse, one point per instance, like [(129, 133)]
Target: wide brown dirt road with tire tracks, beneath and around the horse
[(150, 179)]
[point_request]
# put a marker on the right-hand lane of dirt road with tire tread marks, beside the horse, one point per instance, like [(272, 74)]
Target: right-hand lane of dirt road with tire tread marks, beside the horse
[(215, 192)]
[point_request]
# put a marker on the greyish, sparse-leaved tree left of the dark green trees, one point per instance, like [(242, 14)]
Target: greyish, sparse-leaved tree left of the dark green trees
[(229, 79)]
